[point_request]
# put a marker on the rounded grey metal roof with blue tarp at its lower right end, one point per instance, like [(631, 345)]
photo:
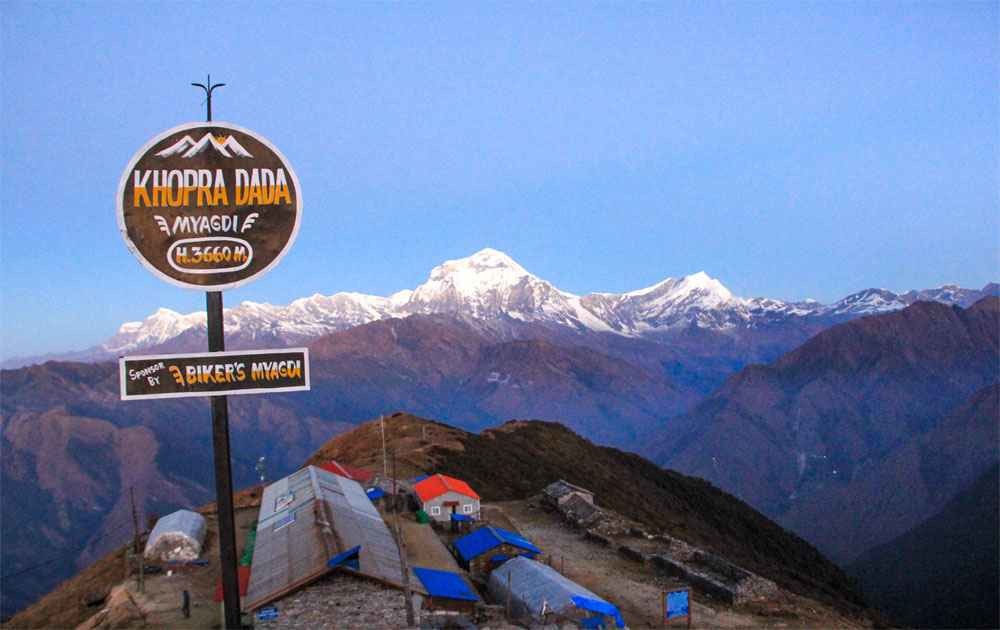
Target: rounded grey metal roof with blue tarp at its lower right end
[(534, 585)]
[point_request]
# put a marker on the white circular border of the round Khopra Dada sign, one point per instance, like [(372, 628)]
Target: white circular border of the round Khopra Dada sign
[(120, 206)]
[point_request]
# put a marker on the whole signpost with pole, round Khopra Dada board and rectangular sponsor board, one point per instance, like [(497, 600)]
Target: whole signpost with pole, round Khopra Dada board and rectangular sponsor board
[(212, 206)]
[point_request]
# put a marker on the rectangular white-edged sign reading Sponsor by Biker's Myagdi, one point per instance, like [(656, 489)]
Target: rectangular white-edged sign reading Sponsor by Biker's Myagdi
[(214, 373)]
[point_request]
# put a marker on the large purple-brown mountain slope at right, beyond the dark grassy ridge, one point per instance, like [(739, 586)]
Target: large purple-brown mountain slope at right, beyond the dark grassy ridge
[(824, 436)]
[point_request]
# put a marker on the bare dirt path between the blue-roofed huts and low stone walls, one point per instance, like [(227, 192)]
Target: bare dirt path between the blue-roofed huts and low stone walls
[(637, 591)]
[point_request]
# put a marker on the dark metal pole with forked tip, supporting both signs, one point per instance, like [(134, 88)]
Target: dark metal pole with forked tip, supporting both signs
[(220, 444)]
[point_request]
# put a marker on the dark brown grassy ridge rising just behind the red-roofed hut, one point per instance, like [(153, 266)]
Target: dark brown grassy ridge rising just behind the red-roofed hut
[(519, 458)]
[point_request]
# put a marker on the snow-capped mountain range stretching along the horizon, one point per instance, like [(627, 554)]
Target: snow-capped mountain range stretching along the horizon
[(494, 291)]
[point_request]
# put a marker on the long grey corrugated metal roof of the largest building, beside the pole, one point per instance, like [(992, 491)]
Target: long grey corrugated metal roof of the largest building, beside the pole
[(305, 520)]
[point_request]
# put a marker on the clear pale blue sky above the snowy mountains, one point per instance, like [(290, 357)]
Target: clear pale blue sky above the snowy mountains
[(790, 149)]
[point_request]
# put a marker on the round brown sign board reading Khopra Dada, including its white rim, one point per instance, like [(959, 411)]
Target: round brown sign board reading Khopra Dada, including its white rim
[(209, 206)]
